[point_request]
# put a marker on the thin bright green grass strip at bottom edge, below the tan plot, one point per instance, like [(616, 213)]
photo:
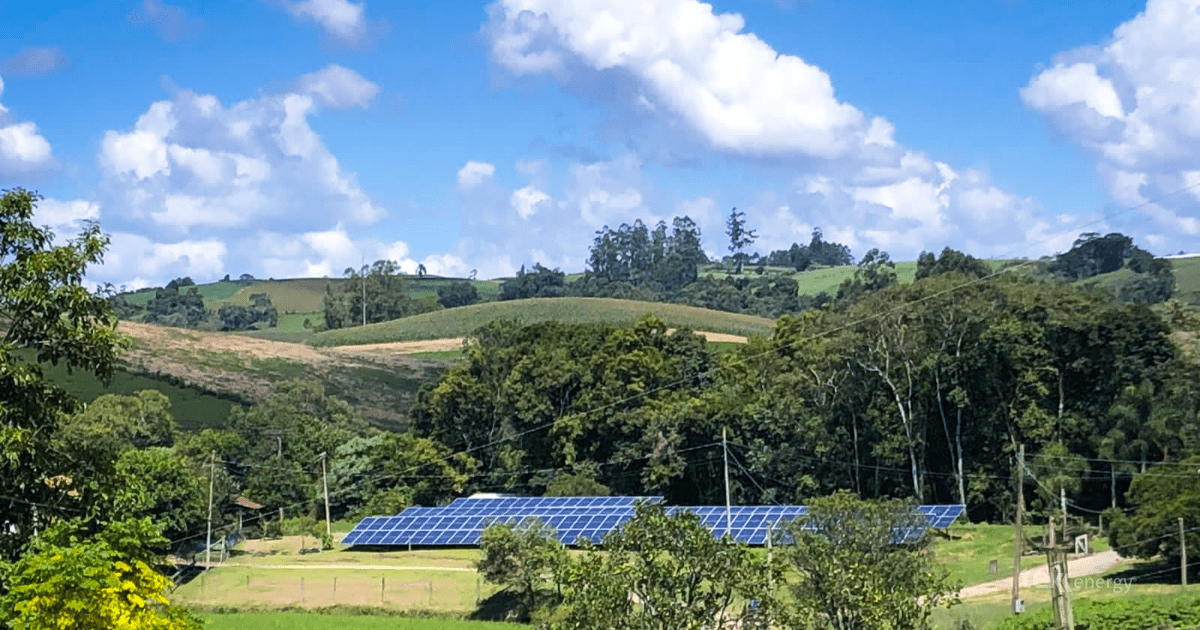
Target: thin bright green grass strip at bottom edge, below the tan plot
[(301, 621)]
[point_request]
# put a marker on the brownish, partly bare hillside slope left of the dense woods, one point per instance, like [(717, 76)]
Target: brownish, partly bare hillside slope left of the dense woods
[(382, 386)]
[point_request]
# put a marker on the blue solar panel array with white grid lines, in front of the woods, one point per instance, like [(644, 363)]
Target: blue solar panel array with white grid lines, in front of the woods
[(463, 523)]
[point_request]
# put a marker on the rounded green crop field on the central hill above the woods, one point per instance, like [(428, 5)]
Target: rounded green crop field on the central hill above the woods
[(461, 322)]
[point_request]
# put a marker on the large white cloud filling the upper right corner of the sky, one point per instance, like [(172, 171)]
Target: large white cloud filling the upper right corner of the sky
[(1135, 104)]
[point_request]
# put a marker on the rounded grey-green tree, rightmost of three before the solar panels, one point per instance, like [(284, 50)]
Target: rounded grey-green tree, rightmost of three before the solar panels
[(859, 569)]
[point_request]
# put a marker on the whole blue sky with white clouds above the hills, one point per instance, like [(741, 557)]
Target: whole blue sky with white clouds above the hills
[(293, 139)]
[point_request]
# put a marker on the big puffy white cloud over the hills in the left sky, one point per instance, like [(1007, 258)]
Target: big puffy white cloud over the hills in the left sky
[(196, 187)]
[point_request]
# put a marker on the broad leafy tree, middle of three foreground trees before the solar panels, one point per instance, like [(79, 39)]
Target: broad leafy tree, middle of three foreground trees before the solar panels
[(667, 572)]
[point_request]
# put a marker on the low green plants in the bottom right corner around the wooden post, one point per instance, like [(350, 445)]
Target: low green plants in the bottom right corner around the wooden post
[(1118, 615)]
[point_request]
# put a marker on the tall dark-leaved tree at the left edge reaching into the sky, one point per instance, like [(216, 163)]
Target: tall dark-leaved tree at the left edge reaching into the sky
[(44, 308)]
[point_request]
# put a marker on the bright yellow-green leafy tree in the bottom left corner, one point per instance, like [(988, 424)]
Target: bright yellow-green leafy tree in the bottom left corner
[(97, 583)]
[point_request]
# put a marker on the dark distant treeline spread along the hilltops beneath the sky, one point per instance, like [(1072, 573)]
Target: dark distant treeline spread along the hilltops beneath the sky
[(665, 265)]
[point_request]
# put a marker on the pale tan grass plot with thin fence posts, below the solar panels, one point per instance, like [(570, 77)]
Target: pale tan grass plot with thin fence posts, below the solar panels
[(257, 587)]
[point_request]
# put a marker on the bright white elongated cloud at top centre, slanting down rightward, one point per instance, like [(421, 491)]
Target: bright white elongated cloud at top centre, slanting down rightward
[(735, 91)]
